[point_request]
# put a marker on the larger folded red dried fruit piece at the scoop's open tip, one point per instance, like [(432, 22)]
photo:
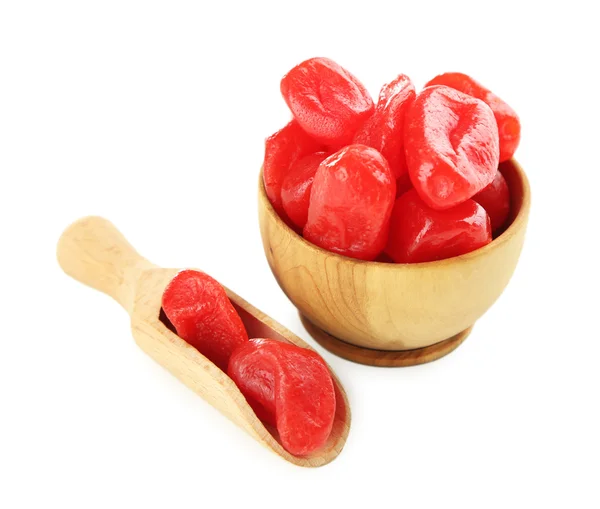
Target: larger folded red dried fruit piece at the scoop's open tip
[(288, 387)]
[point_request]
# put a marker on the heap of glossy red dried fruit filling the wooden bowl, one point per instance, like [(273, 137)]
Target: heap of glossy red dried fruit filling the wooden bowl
[(415, 177)]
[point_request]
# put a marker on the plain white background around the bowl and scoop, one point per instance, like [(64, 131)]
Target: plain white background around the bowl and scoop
[(153, 114)]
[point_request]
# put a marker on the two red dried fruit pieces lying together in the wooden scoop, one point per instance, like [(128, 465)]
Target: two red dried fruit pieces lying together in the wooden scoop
[(288, 387)]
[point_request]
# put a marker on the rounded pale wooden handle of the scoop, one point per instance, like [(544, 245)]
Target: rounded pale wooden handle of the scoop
[(95, 253)]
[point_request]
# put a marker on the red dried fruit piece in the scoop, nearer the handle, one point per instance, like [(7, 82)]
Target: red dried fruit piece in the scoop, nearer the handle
[(202, 315)]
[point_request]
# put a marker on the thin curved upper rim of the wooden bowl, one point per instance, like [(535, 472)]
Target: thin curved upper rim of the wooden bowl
[(515, 226)]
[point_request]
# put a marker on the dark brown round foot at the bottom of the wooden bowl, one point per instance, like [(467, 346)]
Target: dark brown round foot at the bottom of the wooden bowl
[(383, 358)]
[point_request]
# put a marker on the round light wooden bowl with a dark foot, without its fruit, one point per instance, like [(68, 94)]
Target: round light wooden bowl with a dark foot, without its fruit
[(393, 314)]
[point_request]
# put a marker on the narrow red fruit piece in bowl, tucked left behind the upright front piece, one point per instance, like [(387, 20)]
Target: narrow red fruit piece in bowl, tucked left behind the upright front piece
[(295, 191)]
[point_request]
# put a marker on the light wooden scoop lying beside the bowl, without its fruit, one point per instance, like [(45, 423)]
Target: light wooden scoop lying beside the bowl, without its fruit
[(94, 252)]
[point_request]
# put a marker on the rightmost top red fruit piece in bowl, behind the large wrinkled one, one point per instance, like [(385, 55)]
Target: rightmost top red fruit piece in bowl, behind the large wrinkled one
[(509, 126)]
